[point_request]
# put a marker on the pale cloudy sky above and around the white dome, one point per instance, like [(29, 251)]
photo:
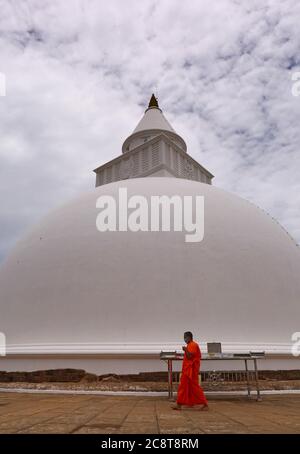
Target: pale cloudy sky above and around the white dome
[(80, 73)]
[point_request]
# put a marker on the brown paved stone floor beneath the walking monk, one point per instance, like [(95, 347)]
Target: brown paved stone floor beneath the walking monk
[(42, 413)]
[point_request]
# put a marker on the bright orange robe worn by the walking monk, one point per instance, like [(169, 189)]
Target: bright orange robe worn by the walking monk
[(189, 391)]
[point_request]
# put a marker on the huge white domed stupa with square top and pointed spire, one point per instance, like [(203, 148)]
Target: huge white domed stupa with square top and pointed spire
[(72, 296)]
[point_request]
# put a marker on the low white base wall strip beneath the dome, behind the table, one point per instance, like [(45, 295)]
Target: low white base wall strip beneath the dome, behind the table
[(130, 366)]
